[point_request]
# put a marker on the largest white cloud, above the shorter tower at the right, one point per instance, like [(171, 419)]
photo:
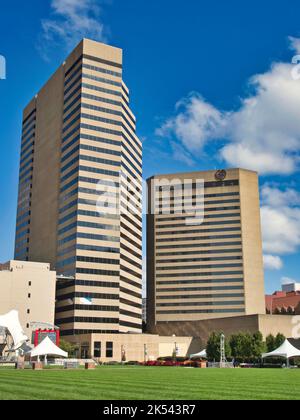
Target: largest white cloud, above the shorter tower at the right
[(263, 134)]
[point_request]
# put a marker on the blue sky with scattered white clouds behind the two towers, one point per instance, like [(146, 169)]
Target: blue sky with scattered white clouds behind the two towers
[(213, 84)]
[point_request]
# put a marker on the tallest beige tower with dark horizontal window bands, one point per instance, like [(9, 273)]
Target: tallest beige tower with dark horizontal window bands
[(80, 190)]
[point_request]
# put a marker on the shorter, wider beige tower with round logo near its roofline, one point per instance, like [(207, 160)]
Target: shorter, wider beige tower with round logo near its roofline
[(204, 246)]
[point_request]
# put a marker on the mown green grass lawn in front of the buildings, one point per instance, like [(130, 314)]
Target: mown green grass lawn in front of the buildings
[(139, 383)]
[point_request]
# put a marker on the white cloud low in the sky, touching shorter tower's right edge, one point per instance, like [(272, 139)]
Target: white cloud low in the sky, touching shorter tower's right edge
[(280, 214)]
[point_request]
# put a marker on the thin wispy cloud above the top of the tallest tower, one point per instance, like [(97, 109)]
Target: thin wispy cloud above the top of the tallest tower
[(72, 20)]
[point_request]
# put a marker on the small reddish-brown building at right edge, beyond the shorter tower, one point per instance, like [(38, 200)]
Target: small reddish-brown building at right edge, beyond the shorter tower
[(286, 302)]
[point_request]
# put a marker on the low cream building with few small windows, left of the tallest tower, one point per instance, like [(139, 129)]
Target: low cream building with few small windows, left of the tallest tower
[(28, 288)]
